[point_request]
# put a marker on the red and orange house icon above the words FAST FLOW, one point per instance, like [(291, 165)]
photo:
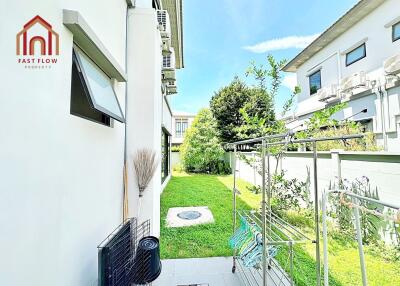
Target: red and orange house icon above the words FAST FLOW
[(48, 40)]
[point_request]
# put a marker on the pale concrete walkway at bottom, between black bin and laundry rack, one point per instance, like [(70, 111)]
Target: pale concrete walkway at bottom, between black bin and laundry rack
[(210, 271)]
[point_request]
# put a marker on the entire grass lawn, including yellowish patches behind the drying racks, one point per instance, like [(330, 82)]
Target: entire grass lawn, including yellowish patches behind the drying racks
[(212, 239)]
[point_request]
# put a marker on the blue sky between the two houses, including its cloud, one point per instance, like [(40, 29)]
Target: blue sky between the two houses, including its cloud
[(221, 38)]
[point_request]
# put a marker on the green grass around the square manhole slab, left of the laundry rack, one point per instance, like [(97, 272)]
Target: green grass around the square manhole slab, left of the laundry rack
[(203, 240)]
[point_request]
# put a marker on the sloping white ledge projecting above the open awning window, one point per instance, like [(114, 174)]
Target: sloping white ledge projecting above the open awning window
[(87, 40)]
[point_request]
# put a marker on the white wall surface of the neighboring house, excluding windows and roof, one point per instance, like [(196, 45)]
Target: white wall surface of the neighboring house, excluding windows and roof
[(379, 47)]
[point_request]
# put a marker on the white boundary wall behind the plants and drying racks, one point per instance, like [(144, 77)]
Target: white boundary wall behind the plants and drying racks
[(382, 168)]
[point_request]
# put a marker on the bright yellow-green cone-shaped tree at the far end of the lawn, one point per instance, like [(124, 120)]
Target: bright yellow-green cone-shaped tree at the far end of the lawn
[(201, 150)]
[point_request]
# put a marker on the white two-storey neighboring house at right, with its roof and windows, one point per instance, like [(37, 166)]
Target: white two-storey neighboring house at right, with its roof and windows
[(356, 60)]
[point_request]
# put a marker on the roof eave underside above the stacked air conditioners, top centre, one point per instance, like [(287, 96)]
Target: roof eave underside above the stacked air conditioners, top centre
[(174, 8)]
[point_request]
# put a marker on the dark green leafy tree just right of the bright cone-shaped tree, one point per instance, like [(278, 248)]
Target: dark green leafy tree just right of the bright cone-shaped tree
[(225, 106)]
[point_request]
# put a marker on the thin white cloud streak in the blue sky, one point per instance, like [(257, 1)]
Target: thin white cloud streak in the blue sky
[(298, 42)]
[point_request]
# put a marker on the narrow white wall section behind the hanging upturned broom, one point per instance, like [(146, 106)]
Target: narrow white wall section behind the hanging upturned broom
[(145, 107)]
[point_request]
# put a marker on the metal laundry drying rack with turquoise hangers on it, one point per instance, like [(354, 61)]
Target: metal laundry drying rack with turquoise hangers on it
[(275, 231)]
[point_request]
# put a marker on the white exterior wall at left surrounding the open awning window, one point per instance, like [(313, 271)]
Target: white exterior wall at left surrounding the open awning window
[(61, 175)]
